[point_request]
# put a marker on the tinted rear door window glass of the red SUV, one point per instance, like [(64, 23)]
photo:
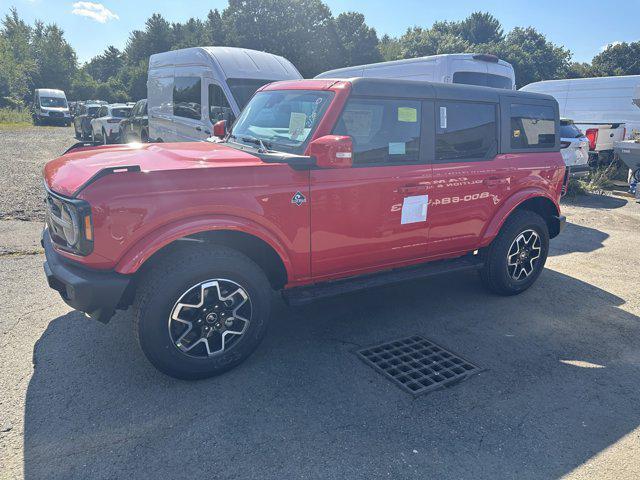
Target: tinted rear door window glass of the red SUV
[(465, 131)]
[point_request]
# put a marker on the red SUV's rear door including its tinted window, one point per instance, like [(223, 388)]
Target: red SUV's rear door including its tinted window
[(469, 178)]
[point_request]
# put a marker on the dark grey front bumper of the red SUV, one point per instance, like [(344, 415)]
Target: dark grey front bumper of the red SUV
[(96, 293)]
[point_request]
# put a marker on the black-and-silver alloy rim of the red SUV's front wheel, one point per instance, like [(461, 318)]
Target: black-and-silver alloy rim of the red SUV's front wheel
[(210, 318)]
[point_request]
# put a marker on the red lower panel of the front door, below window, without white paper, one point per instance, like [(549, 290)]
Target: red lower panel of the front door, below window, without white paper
[(356, 219)]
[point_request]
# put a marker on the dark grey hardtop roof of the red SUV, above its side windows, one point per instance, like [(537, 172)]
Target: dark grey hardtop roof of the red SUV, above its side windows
[(386, 87)]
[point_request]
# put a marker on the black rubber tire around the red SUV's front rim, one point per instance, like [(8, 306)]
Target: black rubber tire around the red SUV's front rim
[(161, 287)]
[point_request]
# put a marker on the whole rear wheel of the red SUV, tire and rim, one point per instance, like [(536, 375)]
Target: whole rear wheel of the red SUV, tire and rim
[(516, 257)]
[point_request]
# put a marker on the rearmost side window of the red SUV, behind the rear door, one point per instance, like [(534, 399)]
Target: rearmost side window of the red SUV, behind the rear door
[(532, 126)]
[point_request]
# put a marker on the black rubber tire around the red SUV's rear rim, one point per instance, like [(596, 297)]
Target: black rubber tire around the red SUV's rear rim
[(495, 274)]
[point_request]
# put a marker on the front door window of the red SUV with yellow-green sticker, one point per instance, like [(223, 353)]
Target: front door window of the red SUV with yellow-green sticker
[(383, 131)]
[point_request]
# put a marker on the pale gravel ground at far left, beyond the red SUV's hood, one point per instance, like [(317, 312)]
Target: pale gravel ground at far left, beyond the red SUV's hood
[(23, 153)]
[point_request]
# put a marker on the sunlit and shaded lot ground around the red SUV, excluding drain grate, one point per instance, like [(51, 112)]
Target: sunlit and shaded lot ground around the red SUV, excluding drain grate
[(558, 396)]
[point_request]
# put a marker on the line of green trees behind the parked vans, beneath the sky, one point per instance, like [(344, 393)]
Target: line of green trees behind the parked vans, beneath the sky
[(304, 31)]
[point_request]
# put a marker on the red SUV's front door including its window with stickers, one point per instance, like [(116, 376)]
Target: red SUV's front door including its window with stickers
[(374, 214)]
